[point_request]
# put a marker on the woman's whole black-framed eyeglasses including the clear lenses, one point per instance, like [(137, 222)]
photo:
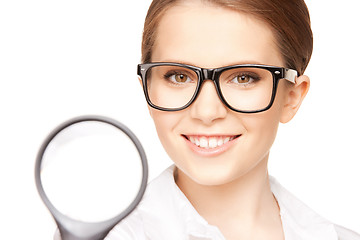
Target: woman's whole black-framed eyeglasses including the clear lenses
[(245, 88)]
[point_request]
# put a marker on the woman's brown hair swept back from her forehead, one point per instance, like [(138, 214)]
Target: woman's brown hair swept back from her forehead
[(289, 20)]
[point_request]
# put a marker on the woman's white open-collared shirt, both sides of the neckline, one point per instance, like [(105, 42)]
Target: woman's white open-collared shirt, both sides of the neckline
[(166, 214)]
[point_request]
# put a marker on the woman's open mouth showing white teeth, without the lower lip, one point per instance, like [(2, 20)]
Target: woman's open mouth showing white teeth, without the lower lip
[(210, 142)]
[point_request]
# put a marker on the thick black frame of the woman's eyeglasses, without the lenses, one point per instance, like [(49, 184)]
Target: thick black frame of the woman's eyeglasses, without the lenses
[(213, 74)]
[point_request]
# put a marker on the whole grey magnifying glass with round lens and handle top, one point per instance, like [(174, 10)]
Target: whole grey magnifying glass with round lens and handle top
[(91, 172)]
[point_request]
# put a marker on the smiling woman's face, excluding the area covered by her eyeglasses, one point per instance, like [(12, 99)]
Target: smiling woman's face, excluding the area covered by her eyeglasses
[(208, 36)]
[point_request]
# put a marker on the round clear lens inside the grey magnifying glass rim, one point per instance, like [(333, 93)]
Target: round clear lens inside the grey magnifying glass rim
[(91, 171)]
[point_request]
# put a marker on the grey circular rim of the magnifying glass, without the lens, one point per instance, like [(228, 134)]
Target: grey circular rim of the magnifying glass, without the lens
[(64, 222)]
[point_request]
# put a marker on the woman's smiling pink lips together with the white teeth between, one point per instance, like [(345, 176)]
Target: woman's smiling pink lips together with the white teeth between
[(210, 145)]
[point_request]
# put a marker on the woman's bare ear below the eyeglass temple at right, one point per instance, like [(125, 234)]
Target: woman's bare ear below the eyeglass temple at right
[(295, 94)]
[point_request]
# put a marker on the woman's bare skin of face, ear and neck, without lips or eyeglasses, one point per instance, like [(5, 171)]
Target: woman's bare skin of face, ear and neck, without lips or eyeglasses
[(230, 190)]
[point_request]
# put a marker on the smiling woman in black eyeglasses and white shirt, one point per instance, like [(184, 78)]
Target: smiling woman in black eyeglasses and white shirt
[(219, 76)]
